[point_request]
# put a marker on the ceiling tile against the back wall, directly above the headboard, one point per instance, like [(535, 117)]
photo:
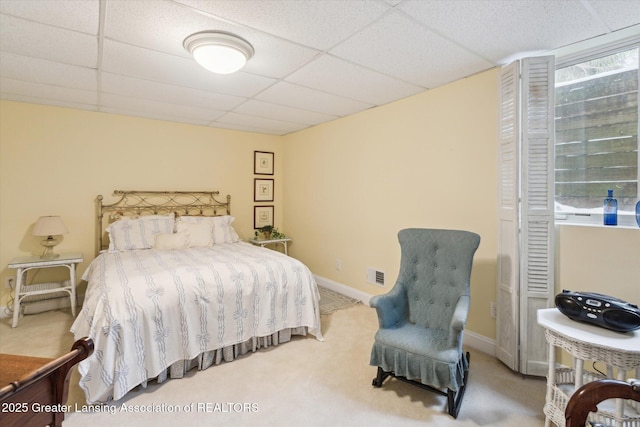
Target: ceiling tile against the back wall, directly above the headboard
[(157, 110)]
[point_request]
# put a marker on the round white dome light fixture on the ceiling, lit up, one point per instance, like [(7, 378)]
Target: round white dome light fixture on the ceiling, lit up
[(218, 51)]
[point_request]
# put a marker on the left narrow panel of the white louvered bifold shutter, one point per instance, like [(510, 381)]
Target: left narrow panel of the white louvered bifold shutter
[(507, 320)]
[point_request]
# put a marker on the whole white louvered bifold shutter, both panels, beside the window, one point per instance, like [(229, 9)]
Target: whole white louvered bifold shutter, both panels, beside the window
[(526, 197)]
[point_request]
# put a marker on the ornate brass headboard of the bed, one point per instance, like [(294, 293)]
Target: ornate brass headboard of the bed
[(137, 203)]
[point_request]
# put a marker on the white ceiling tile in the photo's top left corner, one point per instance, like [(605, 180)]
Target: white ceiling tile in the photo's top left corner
[(77, 15)]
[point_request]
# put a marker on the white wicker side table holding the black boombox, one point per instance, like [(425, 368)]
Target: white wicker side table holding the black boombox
[(620, 353)]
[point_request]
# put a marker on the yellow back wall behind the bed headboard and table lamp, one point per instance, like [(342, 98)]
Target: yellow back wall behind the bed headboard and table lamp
[(55, 161)]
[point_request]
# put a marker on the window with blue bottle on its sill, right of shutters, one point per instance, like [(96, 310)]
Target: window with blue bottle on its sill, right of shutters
[(596, 147)]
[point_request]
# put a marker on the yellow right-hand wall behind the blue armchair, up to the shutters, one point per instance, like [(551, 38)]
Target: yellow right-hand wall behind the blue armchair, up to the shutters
[(426, 161)]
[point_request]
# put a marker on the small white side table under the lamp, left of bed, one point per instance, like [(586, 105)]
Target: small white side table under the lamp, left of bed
[(24, 264)]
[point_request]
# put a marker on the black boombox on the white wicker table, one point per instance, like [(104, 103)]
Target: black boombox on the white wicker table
[(600, 310)]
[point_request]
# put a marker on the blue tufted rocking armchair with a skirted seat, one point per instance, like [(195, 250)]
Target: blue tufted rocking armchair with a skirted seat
[(422, 318)]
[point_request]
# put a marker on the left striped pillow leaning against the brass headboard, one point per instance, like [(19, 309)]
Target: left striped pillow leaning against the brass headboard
[(131, 234)]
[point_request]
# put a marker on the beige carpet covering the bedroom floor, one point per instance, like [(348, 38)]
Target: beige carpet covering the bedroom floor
[(301, 383)]
